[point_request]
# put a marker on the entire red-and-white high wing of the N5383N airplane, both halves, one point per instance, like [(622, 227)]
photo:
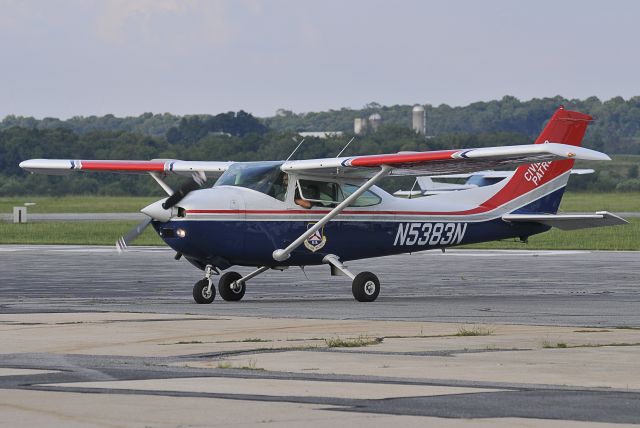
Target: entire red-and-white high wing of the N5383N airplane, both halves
[(411, 163)]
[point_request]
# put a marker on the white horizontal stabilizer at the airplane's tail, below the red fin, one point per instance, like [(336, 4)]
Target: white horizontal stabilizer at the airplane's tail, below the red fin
[(568, 221)]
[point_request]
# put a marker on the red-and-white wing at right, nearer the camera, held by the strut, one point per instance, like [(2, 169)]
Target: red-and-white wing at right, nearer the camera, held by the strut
[(443, 161)]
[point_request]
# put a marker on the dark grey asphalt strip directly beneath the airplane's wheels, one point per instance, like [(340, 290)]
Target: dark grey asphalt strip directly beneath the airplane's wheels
[(518, 287)]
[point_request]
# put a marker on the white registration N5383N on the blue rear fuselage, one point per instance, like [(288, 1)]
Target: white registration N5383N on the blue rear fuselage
[(430, 233)]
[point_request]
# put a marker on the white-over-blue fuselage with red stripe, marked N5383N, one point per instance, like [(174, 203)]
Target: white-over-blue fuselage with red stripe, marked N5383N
[(231, 225)]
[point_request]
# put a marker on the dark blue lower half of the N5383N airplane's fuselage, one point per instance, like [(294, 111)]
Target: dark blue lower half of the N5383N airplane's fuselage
[(251, 243)]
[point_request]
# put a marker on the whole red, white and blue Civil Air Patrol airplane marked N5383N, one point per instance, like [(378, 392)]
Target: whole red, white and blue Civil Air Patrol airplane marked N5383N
[(279, 214)]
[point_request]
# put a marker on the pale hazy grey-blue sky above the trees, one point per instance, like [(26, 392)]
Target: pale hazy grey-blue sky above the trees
[(82, 57)]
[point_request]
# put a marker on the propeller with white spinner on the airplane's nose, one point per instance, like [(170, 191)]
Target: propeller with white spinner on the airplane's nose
[(154, 212)]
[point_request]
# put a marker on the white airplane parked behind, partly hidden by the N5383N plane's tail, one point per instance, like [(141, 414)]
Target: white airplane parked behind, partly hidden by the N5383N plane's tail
[(430, 187)]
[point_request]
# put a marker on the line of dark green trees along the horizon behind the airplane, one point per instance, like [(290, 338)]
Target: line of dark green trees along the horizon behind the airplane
[(242, 137)]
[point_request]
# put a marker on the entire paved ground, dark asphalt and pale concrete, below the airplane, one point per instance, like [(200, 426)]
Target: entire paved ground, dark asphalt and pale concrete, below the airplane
[(547, 338)]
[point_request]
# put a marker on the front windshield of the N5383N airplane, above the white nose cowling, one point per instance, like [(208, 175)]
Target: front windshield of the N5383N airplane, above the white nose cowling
[(264, 177)]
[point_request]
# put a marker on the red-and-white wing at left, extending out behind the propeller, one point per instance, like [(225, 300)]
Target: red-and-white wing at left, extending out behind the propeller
[(160, 166)]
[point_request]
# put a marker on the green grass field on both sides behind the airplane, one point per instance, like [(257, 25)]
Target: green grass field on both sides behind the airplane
[(626, 237)]
